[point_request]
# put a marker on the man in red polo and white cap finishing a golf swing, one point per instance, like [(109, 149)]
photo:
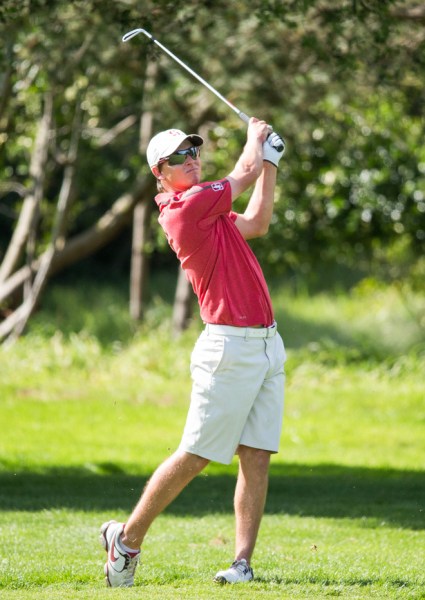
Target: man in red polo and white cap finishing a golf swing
[(237, 363)]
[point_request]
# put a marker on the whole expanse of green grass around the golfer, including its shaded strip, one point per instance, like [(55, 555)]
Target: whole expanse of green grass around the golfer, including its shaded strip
[(89, 407)]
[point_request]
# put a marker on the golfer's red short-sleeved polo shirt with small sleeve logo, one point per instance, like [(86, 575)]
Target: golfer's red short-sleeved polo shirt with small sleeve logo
[(220, 265)]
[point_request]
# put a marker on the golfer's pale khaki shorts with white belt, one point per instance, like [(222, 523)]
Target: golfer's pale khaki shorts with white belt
[(237, 393)]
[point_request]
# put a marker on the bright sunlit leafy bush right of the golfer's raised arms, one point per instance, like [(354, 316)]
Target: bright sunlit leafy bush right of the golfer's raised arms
[(358, 187)]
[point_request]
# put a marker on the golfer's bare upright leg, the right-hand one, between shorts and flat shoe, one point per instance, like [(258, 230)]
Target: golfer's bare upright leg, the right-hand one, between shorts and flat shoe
[(250, 498)]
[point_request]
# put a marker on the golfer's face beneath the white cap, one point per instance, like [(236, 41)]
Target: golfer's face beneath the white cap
[(179, 178)]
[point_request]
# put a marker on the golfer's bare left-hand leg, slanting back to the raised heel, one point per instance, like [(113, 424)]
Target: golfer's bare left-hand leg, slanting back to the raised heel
[(169, 479)]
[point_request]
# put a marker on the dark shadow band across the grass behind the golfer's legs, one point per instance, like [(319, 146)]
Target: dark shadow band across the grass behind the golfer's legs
[(396, 498)]
